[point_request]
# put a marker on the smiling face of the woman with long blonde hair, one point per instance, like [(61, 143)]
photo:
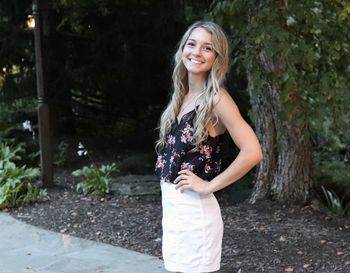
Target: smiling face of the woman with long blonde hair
[(198, 53)]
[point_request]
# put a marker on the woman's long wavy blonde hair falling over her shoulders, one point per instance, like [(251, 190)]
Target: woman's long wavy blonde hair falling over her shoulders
[(214, 82)]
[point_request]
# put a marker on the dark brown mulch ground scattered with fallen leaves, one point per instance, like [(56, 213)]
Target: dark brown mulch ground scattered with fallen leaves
[(264, 237)]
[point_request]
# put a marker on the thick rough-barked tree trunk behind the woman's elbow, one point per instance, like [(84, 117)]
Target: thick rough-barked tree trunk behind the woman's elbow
[(285, 174)]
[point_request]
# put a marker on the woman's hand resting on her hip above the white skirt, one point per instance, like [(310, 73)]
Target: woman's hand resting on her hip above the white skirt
[(188, 180)]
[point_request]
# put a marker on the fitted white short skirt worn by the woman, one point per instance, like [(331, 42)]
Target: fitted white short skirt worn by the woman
[(192, 231)]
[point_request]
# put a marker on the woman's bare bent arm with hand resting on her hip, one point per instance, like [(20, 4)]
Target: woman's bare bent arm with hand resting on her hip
[(243, 136)]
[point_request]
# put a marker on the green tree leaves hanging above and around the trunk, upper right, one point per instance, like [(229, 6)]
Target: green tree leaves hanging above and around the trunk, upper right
[(308, 42)]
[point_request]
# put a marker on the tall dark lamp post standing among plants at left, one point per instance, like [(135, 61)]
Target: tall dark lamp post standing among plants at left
[(43, 107)]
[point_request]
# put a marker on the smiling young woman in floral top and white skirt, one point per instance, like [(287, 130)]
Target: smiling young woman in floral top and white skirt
[(189, 151)]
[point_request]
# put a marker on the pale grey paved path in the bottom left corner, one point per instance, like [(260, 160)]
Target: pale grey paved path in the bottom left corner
[(28, 249)]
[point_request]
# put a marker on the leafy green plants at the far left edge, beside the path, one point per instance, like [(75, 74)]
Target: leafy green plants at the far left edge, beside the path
[(15, 186)]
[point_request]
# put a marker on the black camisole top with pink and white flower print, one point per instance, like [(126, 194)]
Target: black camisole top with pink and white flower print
[(176, 154)]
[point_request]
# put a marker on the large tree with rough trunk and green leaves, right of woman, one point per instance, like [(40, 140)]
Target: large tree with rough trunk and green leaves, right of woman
[(295, 57)]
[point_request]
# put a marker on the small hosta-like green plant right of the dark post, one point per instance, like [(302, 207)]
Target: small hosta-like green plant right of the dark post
[(96, 180)]
